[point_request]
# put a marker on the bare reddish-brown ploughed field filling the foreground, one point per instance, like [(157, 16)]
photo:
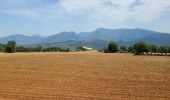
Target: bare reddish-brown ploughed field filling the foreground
[(83, 75)]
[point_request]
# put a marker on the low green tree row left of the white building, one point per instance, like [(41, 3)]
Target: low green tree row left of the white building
[(11, 47)]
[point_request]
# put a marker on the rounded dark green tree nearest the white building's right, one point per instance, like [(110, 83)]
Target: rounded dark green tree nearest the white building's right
[(113, 47)]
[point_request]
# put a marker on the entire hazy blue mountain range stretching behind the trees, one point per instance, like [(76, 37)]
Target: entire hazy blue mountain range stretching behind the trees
[(95, 39)]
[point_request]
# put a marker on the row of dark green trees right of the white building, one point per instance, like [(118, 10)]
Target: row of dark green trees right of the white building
[(137, 49)]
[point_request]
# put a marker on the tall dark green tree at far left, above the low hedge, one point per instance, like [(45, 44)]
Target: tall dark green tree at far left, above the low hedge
[(10, 47)]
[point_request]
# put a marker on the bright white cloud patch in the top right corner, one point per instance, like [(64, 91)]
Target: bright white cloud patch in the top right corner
[(151, 10)]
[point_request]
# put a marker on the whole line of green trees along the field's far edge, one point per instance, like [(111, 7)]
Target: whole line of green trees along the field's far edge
[(138, 48)]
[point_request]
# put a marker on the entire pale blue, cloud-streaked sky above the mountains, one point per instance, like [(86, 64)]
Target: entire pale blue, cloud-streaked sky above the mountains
[(46, 17)]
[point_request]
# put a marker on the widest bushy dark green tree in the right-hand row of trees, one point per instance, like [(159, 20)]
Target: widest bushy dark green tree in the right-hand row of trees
[(141, 47)]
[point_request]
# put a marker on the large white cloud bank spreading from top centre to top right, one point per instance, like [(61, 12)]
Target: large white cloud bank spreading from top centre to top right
[(117, 10)]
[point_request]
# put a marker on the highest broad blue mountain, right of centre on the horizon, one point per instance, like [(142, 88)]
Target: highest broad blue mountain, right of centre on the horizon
[(116, 34)]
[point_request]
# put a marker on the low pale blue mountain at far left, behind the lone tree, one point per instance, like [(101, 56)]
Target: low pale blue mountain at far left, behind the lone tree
[(22, 39)]
